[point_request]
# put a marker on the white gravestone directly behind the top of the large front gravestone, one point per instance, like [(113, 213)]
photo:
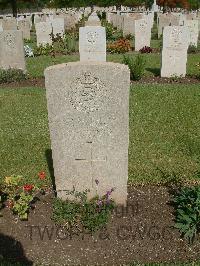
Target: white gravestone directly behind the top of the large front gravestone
[(92, 43)]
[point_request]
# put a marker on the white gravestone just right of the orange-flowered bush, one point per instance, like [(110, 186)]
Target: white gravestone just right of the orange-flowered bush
[(142, 34)]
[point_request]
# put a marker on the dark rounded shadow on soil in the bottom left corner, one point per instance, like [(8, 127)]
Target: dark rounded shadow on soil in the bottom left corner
[(12, 252)]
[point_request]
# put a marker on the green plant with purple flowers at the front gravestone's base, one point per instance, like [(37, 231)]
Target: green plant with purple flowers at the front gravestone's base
[(87, 215)]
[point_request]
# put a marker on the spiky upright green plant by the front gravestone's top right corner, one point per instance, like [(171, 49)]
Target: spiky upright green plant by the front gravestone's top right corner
[(136, 66)]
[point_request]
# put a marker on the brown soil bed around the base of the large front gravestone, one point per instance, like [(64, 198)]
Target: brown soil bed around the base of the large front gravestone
[(144, 233)]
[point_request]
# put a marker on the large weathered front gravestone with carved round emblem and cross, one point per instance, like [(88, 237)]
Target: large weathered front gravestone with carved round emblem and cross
[(88, 120)]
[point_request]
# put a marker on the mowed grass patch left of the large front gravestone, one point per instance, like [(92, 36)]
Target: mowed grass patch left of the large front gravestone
[(24, 135)]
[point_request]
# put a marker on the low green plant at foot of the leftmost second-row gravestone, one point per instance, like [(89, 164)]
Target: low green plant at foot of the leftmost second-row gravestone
[(11, 75)]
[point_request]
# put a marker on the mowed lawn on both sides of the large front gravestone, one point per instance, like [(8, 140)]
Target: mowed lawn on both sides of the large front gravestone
[(164, 133)]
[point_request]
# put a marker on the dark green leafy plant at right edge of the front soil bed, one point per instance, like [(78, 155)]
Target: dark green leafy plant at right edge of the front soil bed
[(187, 206)]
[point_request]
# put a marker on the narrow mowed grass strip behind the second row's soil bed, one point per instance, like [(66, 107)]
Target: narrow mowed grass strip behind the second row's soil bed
[(37, 65)]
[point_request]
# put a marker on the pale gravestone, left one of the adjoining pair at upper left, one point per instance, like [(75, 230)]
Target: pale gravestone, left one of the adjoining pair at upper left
[(43, 32)]
